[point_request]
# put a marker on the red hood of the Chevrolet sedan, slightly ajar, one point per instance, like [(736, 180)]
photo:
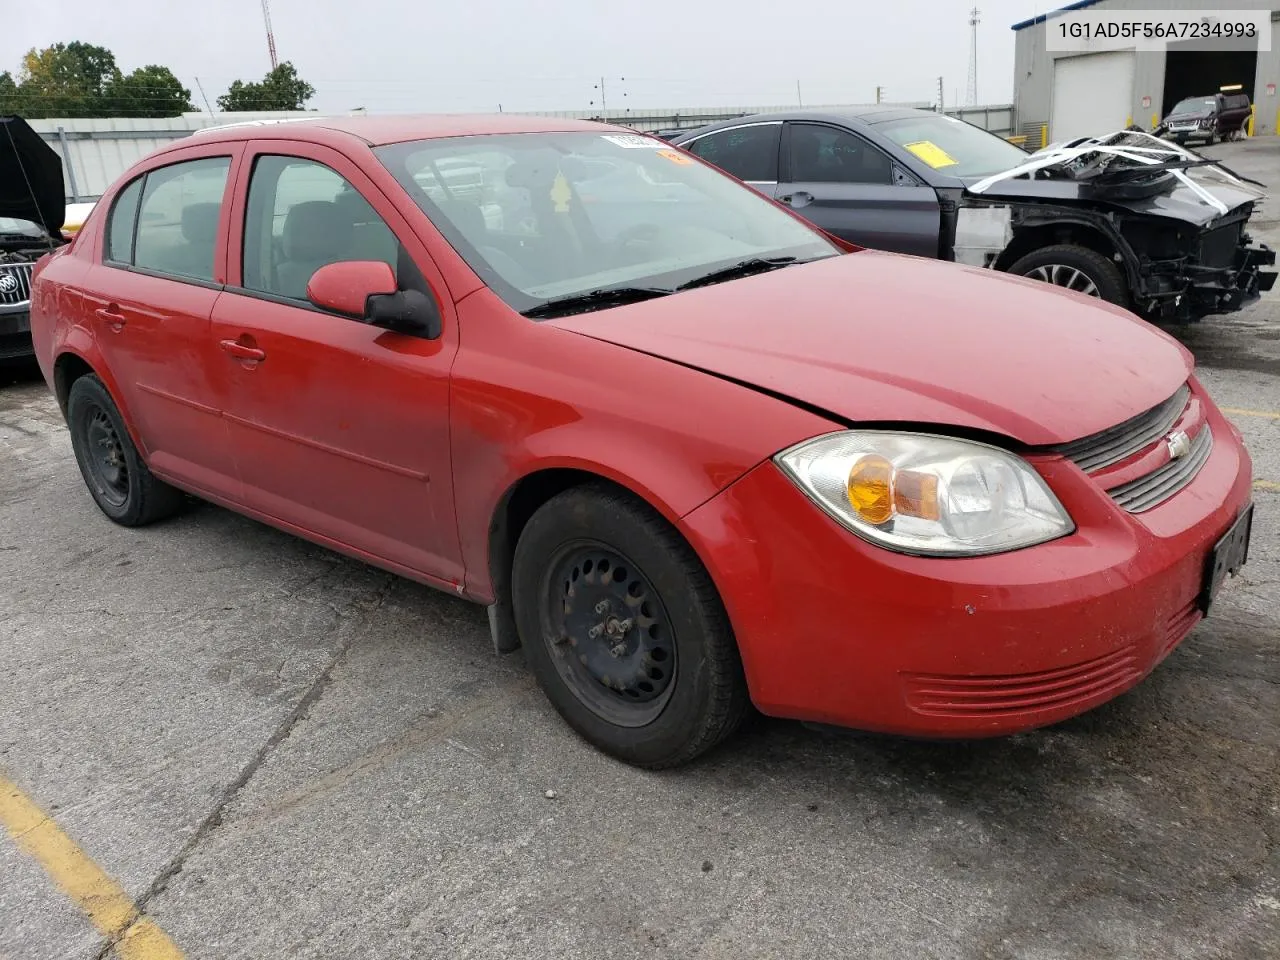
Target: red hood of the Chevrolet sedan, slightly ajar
[(874, 337)]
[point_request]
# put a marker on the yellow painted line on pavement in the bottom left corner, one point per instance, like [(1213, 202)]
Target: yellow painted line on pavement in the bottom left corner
[(100, 898)]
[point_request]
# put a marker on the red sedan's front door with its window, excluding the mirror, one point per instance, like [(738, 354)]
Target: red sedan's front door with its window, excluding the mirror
[(341, 429)]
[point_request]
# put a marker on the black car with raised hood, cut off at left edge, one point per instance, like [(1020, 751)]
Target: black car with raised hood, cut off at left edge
[(33, 208)]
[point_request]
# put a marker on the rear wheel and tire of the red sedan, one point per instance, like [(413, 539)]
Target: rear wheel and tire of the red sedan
[(118, 481)]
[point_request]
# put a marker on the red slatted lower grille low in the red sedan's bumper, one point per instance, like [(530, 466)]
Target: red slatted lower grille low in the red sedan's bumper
[(1025, 693)]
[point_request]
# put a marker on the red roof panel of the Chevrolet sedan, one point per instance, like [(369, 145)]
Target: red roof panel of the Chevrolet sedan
[(382, 130)]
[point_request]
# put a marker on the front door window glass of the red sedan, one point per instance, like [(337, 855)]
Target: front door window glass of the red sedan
[(304, 216)]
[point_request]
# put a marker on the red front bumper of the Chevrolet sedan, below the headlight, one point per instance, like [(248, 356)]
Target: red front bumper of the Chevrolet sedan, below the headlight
[(838, 632)]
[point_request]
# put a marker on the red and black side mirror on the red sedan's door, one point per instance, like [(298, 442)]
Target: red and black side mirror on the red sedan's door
[(367, 290)]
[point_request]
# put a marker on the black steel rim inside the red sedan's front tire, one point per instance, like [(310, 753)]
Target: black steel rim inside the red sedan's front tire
[(612, 639)]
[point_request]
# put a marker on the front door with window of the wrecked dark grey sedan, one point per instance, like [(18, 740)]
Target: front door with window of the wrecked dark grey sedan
[(852, 189)]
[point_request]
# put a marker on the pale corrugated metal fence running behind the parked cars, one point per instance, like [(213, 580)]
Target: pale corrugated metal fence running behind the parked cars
[(97, 152)]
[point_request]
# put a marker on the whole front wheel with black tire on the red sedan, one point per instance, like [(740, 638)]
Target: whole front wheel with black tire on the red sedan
[(679, 643)]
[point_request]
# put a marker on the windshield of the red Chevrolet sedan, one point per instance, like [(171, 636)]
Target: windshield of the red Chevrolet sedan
[(546, 217)]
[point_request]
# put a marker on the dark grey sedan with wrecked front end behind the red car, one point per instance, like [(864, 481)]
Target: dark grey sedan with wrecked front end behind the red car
[(1165, 240)]
